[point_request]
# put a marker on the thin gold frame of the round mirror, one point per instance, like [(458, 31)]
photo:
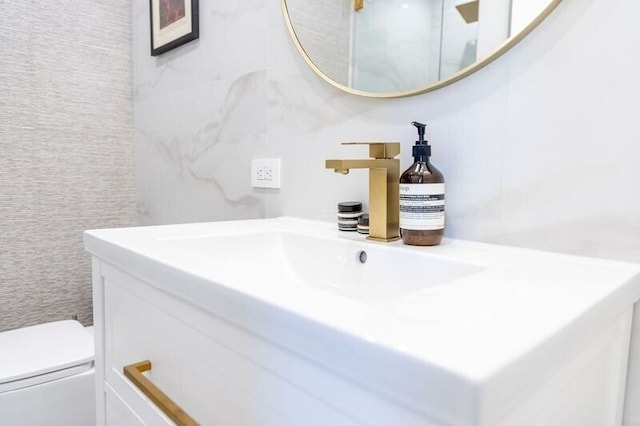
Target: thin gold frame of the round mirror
[(481, 63)]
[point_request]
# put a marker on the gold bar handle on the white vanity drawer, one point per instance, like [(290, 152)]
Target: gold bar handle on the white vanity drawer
[(134, 373)]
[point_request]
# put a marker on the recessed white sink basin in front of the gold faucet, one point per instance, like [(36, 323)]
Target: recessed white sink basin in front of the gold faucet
[(347, 268)]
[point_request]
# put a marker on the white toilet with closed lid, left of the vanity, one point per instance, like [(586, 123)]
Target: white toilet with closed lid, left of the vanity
[(47, 376)]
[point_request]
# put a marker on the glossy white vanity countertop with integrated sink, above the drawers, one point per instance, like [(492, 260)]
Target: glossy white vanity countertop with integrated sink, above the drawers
[(506, 318)]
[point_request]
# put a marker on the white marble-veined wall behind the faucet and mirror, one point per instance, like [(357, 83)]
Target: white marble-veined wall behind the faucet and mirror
[(539, 149)]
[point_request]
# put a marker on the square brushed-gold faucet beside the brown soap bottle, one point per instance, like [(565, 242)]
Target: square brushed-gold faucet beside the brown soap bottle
[(384, 192)]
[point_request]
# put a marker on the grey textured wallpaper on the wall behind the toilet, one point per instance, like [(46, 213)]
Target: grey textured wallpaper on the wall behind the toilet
[(66, 150)]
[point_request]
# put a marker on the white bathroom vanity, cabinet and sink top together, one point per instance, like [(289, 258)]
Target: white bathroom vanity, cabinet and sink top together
[(459, 334)]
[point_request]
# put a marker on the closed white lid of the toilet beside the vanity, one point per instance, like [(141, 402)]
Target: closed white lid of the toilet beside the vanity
[(44, 352)]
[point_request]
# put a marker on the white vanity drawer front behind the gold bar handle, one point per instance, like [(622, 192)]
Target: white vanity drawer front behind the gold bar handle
[(203, 363)]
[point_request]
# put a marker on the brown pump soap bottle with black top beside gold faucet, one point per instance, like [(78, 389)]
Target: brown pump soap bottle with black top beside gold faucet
[(421, 197)]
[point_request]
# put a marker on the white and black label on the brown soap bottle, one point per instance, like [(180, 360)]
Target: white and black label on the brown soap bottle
[(422, 206)]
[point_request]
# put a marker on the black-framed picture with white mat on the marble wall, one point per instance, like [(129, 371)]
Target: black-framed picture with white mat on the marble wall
[(173, 23)]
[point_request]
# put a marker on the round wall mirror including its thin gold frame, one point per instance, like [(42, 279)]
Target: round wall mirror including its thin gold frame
[(395, 48)]
